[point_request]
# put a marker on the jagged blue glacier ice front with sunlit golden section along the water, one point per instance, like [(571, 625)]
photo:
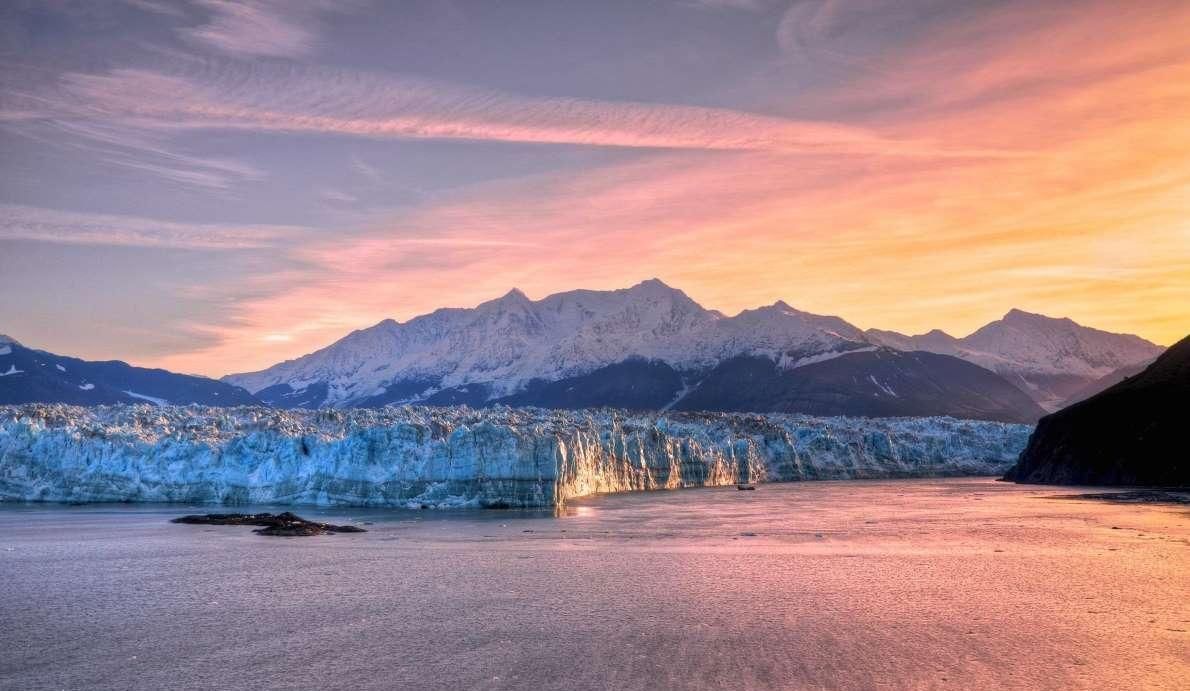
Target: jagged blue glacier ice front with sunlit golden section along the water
[(450, 457)]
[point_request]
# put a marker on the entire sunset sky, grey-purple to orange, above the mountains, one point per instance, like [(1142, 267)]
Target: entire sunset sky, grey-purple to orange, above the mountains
[(214, 187)]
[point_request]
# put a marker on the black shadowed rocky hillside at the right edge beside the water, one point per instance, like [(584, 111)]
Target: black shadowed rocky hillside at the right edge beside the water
[(1130, 435)]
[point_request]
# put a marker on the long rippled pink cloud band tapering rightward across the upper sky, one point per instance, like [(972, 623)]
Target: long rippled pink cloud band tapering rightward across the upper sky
[(299, 99)]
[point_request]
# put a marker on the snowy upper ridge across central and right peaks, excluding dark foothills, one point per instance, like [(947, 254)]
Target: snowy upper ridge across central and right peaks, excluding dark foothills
[(500, 348)]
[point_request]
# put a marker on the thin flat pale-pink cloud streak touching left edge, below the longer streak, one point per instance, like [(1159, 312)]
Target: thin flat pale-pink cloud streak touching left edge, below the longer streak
[(22, 223)]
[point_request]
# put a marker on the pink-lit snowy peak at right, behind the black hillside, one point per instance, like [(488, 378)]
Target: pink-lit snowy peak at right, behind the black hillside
[(1050, 360)]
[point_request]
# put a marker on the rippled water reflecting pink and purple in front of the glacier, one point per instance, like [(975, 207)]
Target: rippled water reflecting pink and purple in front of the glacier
[(849, 585)]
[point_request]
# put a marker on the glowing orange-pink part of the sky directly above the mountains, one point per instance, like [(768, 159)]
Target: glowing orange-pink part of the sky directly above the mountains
[(1075, 202)]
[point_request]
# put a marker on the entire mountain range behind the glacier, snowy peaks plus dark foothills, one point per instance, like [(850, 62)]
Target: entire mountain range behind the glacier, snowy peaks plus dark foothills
[(654, 348)]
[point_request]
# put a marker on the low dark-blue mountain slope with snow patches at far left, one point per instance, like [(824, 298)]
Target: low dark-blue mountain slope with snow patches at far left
[(34, 376)]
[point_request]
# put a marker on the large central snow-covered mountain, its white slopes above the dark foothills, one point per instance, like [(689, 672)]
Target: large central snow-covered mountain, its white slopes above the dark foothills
[(502, 347)]
